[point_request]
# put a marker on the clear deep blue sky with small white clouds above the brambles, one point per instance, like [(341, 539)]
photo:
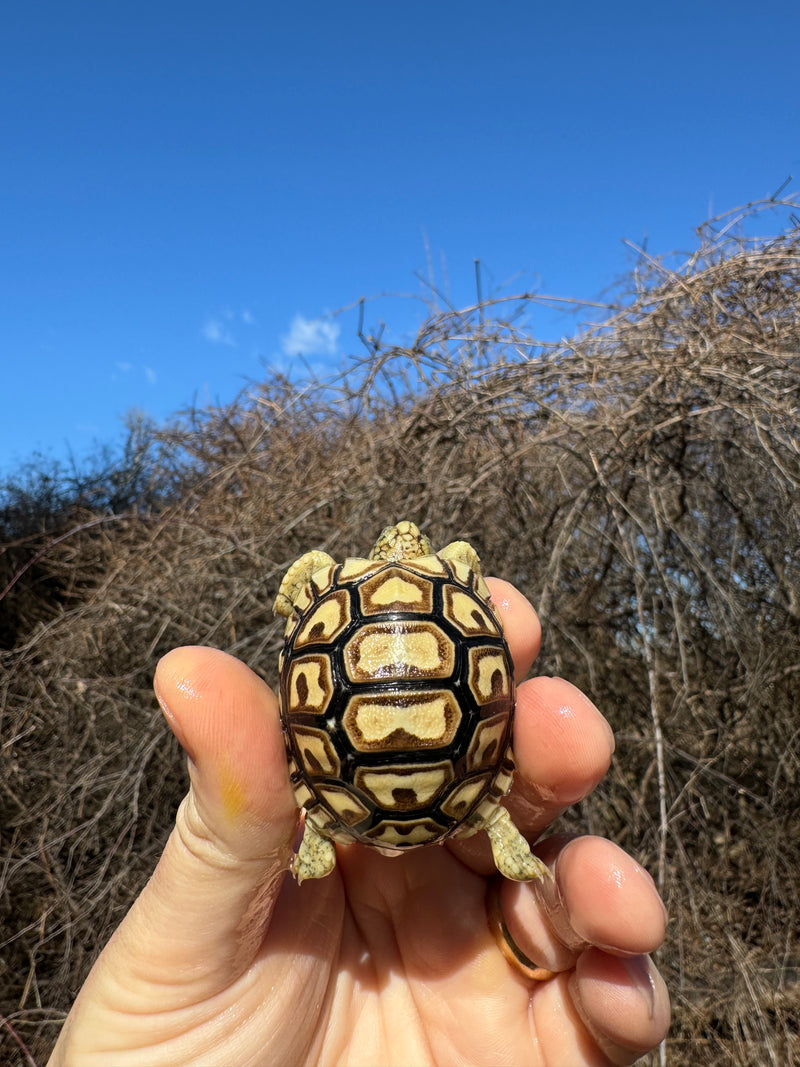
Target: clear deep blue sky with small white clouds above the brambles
[(188, 192)]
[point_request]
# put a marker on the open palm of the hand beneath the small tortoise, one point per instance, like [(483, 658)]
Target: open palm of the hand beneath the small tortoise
[(385, 963)]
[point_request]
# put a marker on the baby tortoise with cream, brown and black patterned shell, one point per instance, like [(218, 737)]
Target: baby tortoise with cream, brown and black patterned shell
[(397, 700)]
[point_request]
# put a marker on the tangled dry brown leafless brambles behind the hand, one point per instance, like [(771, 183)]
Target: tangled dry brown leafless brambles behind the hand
[(641, 484)]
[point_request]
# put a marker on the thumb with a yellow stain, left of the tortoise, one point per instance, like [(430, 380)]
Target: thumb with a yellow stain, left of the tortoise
[(201, 919)]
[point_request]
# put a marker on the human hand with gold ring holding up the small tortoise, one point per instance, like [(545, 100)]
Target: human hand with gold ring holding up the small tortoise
[(226, 960)]
